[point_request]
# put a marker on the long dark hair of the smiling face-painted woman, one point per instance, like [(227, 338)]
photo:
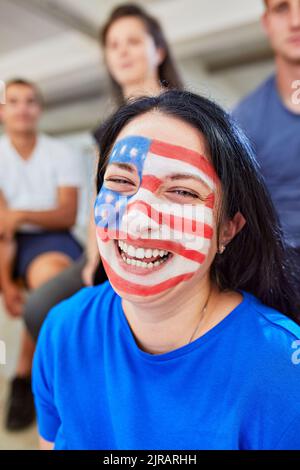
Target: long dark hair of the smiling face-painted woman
[(257, 259)]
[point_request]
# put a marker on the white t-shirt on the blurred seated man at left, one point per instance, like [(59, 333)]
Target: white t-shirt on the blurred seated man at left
[(32, 184)]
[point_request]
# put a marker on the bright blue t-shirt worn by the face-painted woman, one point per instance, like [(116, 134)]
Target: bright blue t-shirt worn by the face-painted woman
[(236, 387)]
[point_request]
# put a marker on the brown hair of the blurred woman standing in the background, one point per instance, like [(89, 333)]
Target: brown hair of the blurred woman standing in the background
[(167, 72)]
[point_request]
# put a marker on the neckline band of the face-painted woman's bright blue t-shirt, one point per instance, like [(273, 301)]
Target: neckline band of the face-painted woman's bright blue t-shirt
[(188, 348)]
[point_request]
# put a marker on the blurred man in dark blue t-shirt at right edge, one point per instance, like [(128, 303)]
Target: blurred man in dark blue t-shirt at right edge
[(271, 116)]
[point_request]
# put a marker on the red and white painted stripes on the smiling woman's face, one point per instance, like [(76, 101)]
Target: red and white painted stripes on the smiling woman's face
[(186, 231)]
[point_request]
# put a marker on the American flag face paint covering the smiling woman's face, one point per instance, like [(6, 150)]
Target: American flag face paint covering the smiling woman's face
[(149, 243)]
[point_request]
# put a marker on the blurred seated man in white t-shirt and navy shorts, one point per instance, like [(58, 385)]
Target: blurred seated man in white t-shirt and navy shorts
[(39, 183)]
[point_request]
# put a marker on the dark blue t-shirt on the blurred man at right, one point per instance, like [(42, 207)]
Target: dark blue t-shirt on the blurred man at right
[(275, 134)]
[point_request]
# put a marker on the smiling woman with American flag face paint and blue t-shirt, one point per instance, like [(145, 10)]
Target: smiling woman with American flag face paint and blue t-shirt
[(158, 356)]
